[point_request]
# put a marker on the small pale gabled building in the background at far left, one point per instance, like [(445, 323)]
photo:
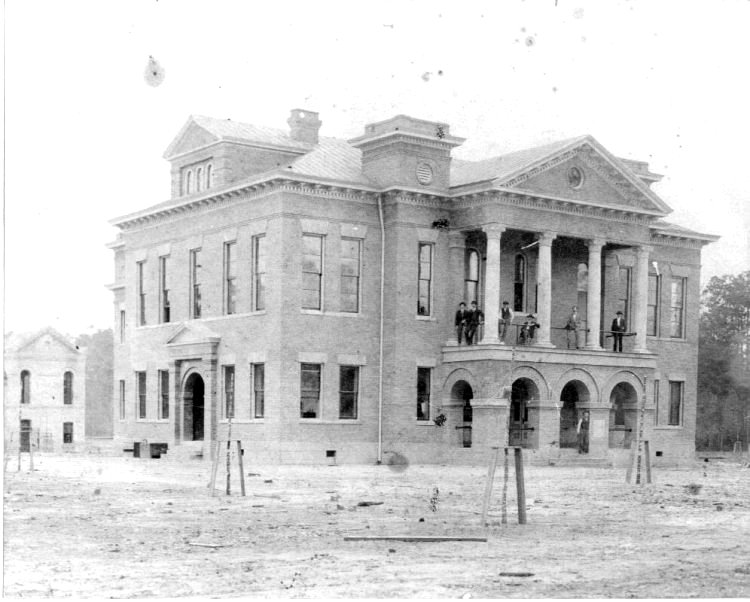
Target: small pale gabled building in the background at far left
[(45, 392)]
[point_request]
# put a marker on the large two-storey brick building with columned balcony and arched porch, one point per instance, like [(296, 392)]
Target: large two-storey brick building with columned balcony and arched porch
[(309, 284)]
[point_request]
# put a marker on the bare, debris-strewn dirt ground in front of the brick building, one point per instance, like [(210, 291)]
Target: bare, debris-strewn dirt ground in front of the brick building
[(84, 526)]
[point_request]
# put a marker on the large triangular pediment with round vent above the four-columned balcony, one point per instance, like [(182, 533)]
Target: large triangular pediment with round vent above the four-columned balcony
[(588, 174)]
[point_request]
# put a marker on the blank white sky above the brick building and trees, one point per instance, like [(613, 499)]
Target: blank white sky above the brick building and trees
[(663, 82)]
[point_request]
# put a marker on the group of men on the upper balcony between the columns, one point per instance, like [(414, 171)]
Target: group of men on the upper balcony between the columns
[(468, 322)]
